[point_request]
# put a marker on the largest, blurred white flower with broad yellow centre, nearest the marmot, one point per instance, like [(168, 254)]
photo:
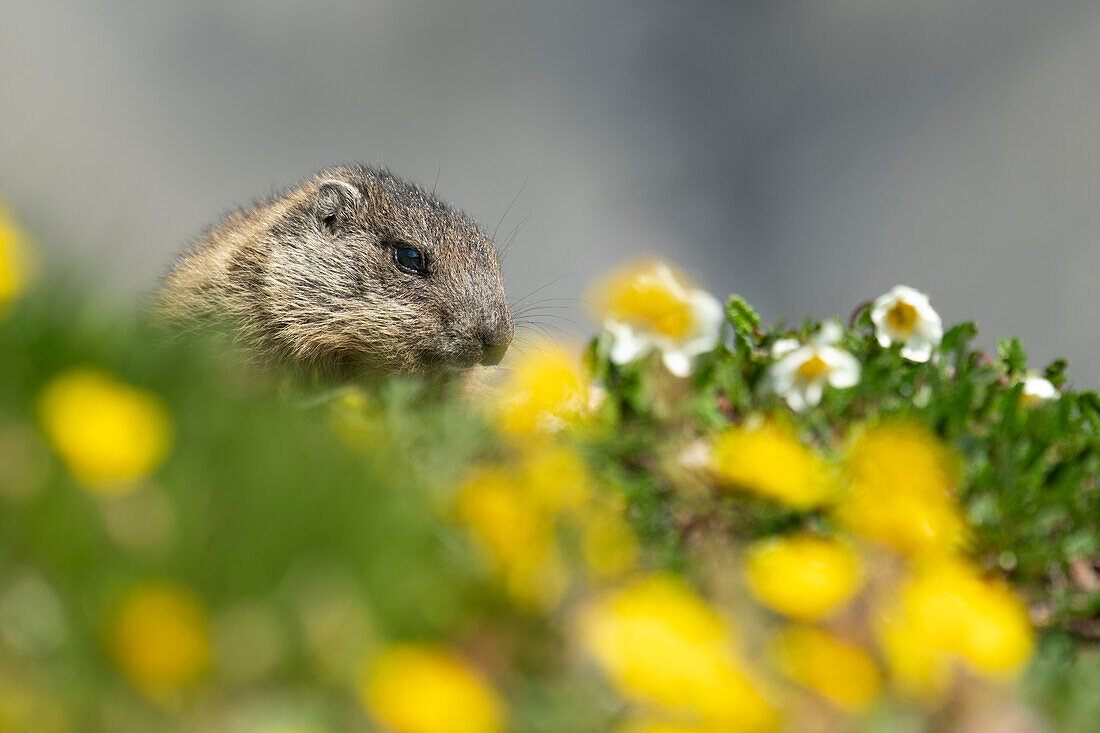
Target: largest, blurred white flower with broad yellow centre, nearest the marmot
[(650, 309)]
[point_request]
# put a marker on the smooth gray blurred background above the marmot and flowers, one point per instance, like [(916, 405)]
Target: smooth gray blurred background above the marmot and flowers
[(808, 155)]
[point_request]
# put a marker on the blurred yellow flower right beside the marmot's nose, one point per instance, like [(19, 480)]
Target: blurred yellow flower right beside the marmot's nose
[(545, 393)]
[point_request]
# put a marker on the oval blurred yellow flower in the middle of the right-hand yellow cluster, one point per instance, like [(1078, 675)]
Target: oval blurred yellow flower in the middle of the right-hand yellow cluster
[(804, 577)]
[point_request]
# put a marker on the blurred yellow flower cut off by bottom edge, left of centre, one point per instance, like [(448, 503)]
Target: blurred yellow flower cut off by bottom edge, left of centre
[(424, 690)]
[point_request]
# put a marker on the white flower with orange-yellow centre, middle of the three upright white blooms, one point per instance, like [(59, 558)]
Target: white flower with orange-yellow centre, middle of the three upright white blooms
[(804, 370)]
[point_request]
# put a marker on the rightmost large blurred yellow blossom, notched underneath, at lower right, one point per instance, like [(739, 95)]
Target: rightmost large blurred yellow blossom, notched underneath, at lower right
[(947, 612)]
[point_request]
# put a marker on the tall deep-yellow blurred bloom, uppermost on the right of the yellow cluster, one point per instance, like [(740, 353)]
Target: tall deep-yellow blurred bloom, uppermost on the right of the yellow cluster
[(903, 482)]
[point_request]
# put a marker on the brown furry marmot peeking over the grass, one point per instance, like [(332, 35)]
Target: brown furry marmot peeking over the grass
[(353, 270)]
